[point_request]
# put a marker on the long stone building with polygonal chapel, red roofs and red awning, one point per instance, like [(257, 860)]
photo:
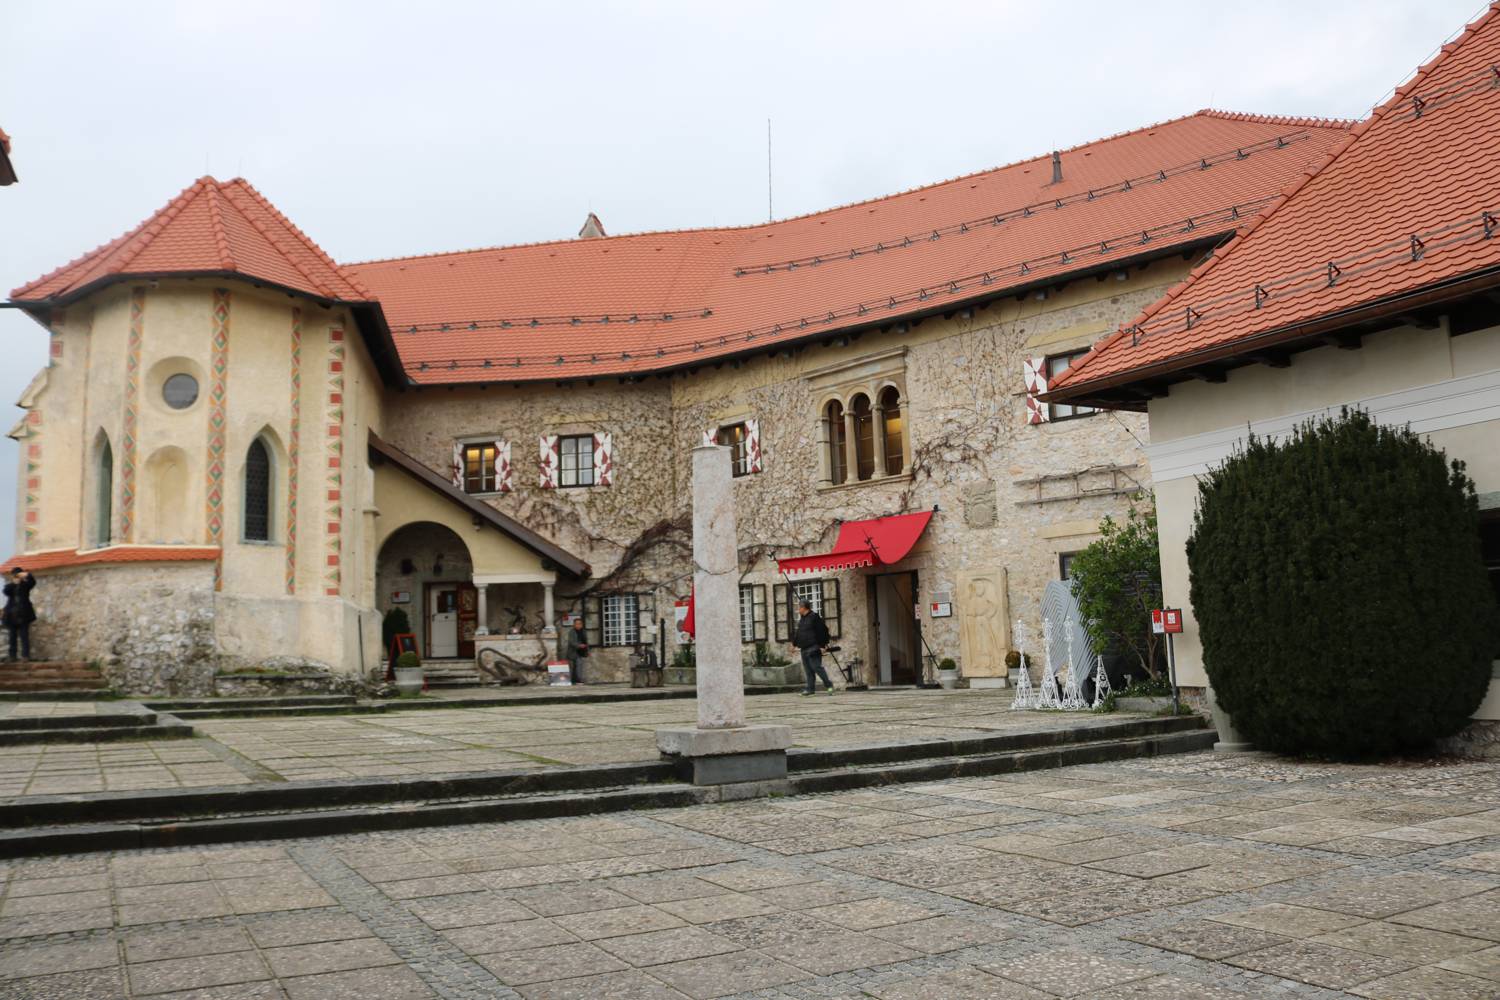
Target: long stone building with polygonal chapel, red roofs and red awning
[(244, 451)]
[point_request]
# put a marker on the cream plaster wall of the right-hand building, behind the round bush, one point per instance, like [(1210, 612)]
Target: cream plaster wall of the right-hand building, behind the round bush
[(1388, 362)]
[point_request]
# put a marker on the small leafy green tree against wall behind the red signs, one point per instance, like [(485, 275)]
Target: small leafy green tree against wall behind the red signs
[(1118, 582)]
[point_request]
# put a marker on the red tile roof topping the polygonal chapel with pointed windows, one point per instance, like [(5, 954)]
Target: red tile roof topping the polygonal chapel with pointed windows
[(211, 229)]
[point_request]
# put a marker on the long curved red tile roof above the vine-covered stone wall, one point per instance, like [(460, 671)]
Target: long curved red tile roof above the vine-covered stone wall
[(659, 301)]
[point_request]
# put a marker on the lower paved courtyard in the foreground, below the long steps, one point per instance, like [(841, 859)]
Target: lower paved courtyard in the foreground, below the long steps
[(1192, 878)]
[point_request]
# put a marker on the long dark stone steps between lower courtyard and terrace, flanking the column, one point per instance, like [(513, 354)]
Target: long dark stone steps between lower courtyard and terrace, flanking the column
[(178, 818)]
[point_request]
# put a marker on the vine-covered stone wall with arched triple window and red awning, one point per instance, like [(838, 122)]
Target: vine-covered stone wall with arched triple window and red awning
[(1012, 497)]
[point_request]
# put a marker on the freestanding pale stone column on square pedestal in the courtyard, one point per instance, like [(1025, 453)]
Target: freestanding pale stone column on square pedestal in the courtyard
[(722, 750)]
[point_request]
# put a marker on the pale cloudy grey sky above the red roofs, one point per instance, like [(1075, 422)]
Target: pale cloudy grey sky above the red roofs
[(391, 128)]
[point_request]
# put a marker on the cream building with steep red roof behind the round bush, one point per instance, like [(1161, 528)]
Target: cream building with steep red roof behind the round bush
[(1355, 289)]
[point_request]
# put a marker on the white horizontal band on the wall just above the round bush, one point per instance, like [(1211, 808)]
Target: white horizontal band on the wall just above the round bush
[(1456, 403)]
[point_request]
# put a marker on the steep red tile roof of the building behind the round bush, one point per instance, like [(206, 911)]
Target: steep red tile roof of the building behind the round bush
[(1408, 202)]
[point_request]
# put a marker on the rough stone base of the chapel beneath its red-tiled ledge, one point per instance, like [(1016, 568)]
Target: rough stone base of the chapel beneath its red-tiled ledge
[(149, 627)]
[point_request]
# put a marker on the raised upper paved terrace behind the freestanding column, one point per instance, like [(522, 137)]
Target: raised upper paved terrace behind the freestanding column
[(466, 740)]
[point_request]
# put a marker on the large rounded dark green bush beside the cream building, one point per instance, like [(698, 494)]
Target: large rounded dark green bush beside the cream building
[(1340, 591)]
